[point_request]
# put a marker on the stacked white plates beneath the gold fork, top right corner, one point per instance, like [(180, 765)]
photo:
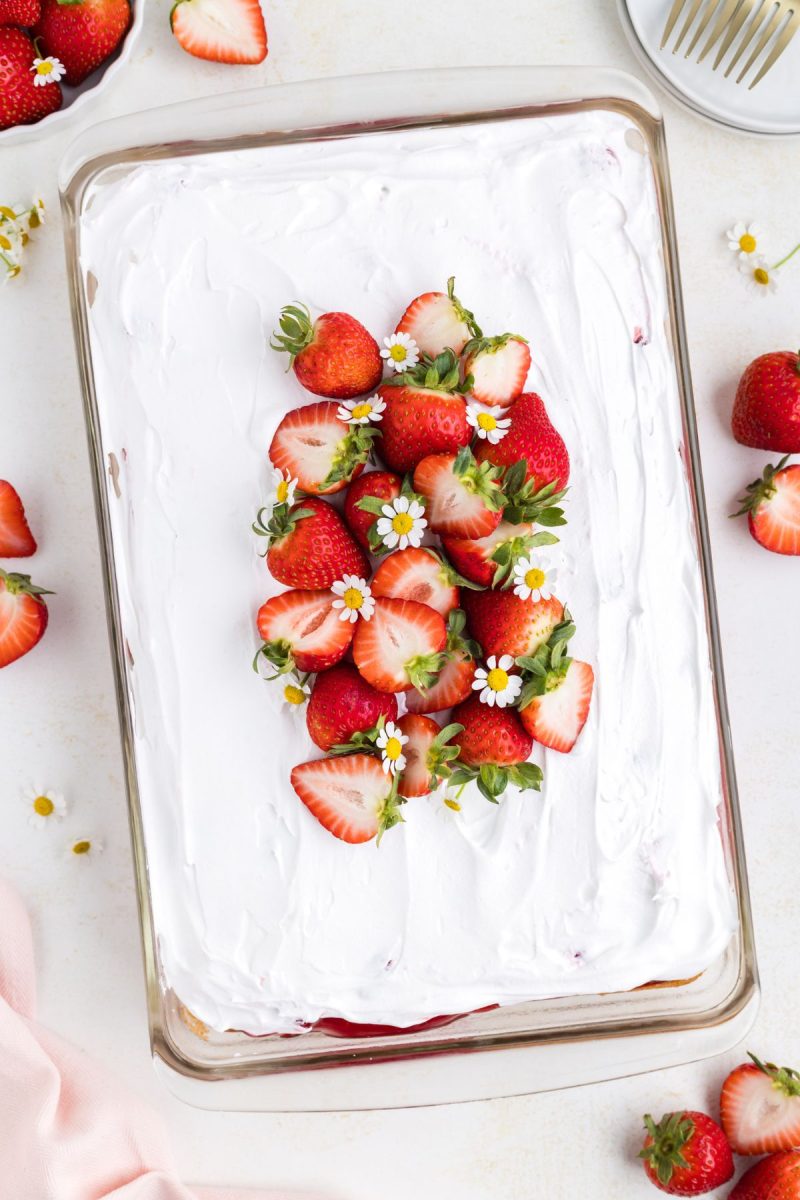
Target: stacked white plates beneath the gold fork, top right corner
[(773, 107)]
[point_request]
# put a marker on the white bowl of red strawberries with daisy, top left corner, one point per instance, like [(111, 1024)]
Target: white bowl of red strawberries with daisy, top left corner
[(58, 55)]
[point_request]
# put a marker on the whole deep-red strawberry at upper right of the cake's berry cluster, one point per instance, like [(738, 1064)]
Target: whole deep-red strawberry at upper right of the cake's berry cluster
[(533, 439)]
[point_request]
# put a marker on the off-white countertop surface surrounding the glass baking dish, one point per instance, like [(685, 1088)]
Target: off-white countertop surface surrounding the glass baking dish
[(58, 719)]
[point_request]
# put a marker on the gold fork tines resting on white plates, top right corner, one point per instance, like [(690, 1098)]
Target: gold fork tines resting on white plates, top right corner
[(760, 22)]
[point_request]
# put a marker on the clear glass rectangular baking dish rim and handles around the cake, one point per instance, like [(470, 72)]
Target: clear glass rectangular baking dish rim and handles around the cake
[(536, 1046)]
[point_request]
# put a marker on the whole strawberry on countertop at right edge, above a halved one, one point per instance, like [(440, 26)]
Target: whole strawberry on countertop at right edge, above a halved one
[(767, 409)]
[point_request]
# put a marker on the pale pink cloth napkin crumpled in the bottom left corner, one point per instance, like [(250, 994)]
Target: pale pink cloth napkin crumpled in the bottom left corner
[(68, 1131)]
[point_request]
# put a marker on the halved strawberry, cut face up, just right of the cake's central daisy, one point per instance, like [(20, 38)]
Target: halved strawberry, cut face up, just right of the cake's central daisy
[(464, 500)]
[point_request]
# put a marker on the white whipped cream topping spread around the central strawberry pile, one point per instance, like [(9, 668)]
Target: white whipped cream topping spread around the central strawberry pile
[(615, 874)]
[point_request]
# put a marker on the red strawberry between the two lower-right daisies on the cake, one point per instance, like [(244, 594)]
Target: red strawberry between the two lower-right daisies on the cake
[(504, 623)]
